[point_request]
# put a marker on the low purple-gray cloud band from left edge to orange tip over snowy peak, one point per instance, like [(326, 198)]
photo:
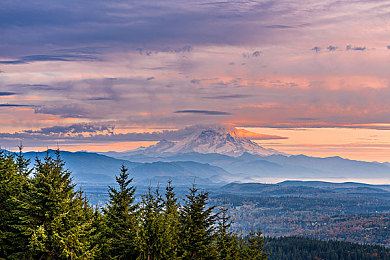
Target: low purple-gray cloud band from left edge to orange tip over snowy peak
[(103, 133)]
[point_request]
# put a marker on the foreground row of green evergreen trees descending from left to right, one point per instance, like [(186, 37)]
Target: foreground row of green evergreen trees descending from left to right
[(44, 216)]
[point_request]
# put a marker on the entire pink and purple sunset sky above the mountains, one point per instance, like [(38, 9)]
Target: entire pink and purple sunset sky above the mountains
[(115, 75)]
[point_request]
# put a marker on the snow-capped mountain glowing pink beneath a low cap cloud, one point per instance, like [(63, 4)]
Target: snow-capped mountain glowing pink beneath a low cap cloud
[(217, 139)]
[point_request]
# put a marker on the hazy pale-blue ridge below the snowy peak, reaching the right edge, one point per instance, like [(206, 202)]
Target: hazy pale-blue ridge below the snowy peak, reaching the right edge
[(250, 166)]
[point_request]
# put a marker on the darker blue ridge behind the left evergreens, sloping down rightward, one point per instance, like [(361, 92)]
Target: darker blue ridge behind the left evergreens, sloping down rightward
[(96, 168)]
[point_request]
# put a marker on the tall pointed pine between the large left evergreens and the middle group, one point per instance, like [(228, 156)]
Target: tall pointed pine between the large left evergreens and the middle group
[(121, 219)]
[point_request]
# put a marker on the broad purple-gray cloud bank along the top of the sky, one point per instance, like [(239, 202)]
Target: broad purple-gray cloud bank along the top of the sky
[(88, 28)]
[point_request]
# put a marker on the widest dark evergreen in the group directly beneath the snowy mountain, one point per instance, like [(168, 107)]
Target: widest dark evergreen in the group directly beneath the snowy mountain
[(197, 227)]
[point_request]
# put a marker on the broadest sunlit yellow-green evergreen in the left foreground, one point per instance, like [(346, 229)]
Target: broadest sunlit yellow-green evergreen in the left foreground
[(54, 216)]
